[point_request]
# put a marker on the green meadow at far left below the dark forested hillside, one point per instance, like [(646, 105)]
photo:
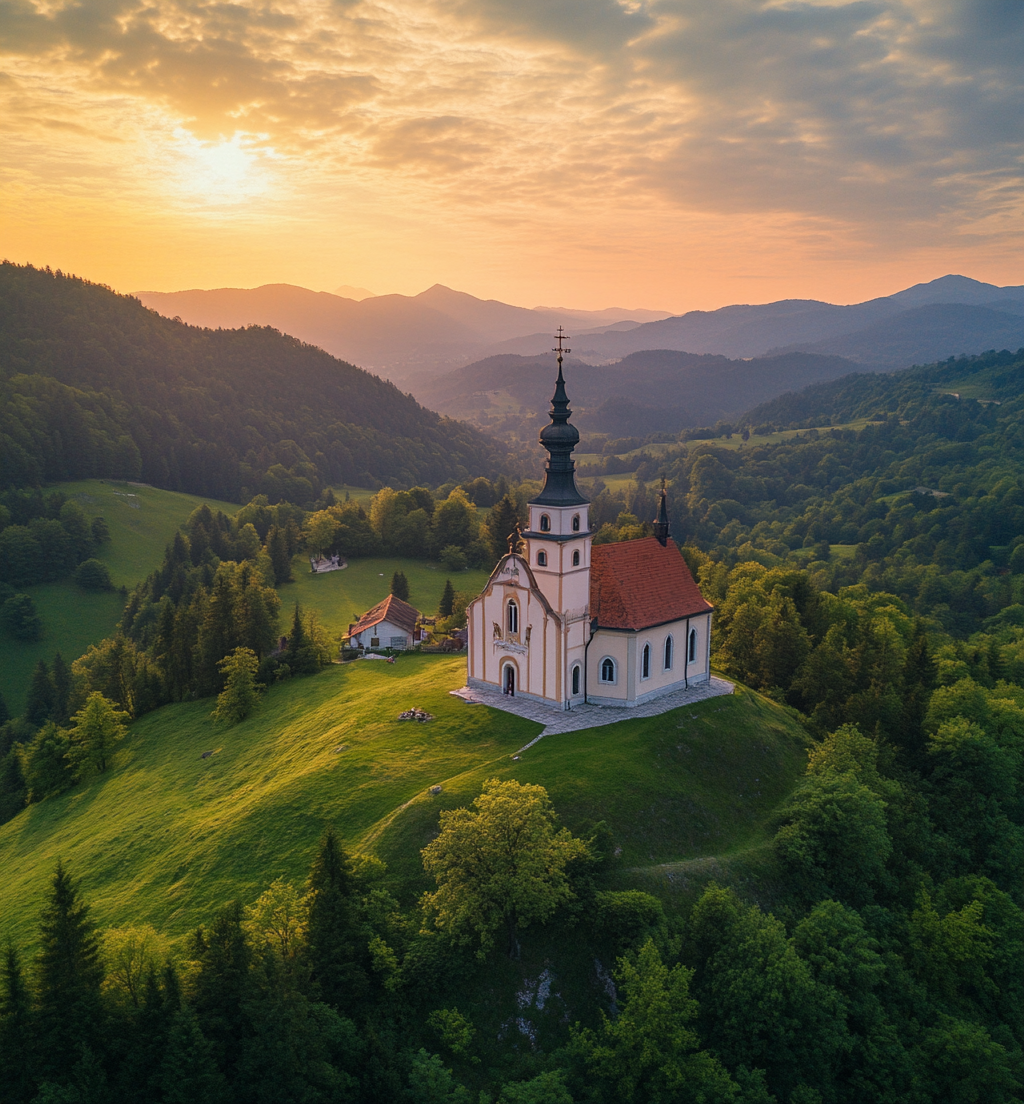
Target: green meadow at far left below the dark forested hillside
[(143, 521)]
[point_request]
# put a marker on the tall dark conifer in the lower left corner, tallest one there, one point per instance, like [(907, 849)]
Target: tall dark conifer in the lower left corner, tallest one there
[(69, 975)]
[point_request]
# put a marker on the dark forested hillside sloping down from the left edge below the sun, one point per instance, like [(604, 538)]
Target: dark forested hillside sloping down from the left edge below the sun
[(93, 385)]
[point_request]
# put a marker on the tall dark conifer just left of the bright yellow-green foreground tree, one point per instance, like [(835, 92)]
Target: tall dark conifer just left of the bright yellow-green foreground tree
[(333, 927)]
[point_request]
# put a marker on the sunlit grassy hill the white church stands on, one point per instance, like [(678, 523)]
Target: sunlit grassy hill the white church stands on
[(166, 835)]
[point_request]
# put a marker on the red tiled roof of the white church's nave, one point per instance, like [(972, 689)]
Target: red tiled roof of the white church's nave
[(639, 585)]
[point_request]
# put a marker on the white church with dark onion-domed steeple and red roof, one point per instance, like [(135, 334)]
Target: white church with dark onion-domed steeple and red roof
[(564, 623)]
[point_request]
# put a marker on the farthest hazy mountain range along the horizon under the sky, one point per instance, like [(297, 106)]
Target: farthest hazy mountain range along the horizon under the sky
[(415, 338)]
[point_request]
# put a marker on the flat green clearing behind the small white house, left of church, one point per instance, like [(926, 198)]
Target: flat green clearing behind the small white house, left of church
[(342, 597)]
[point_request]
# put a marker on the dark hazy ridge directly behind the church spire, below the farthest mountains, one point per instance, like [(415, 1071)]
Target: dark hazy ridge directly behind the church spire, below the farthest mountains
[(657, 391)]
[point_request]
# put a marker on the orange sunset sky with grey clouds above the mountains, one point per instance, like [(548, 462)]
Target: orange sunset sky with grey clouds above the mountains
[(666, 154)]
